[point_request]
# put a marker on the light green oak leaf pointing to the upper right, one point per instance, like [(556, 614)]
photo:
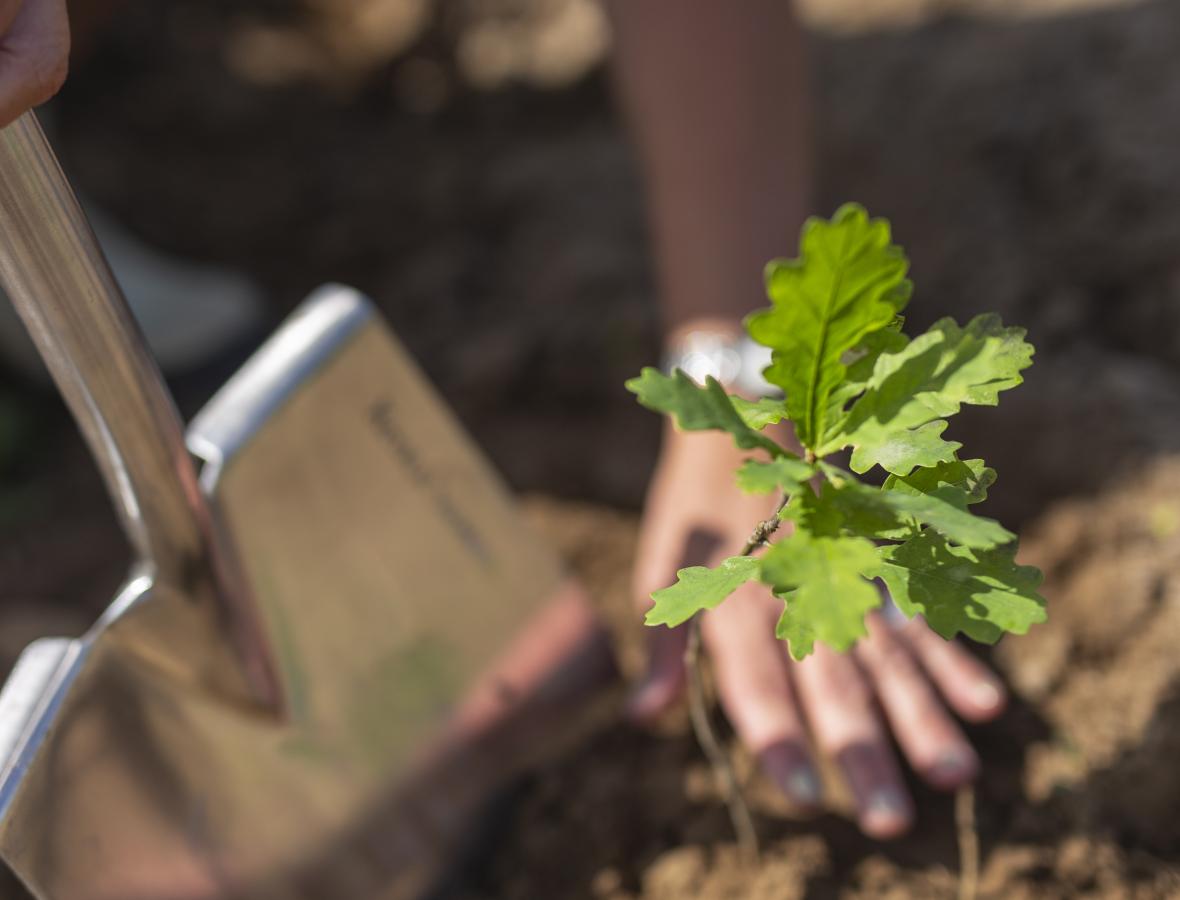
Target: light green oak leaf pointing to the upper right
[(899, 422)]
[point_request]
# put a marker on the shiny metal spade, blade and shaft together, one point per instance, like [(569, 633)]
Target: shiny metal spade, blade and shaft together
[(404, 614)]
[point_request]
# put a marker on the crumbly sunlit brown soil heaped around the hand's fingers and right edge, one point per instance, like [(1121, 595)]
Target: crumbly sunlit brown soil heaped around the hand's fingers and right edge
[(1081, 787)]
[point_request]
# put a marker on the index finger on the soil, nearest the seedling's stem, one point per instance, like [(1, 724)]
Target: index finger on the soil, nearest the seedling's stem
[(755, 688)]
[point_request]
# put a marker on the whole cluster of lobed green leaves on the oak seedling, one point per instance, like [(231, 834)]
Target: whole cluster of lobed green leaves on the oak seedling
[(853, 380)]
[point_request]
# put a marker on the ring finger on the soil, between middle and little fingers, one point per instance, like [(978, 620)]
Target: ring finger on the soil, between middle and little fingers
[(930, 740)]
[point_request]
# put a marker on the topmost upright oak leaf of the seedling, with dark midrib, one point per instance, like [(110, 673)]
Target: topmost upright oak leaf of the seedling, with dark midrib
[(848, 283)]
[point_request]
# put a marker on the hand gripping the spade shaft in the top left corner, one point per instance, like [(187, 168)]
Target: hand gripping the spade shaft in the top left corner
[(35, 54)]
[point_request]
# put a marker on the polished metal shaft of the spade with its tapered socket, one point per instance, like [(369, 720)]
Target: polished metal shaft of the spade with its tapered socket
[(55, 272)]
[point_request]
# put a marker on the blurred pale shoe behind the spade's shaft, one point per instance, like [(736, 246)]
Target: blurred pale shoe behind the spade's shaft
[(189, 312)]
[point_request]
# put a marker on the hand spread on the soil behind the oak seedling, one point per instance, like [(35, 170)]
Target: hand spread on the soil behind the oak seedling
[(696, 517)]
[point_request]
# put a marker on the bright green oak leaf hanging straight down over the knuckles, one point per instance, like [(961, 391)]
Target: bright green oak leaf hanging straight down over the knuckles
[(830, 593)]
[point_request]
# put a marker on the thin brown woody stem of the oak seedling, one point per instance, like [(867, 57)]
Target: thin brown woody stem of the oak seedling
[(699, 713)]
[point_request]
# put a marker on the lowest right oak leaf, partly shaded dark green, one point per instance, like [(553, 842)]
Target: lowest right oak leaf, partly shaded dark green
[(981, 594)]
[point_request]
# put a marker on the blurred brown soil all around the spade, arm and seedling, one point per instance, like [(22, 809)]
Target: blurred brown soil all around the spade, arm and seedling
[(462, 162)]
